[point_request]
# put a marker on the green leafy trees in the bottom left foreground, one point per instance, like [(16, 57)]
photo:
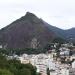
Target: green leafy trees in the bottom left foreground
[(14, 67)]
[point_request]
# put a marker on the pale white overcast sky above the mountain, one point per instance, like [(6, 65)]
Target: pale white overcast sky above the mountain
[(59, 13)]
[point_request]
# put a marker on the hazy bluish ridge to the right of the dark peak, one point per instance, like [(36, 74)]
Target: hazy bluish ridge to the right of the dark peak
[(67, 35)]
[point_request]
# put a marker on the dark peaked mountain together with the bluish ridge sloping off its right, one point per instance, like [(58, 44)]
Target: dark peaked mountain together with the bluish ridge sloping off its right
[(31, 32)]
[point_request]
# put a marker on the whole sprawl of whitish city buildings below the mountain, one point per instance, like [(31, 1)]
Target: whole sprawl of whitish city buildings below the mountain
[(51, 62)]
